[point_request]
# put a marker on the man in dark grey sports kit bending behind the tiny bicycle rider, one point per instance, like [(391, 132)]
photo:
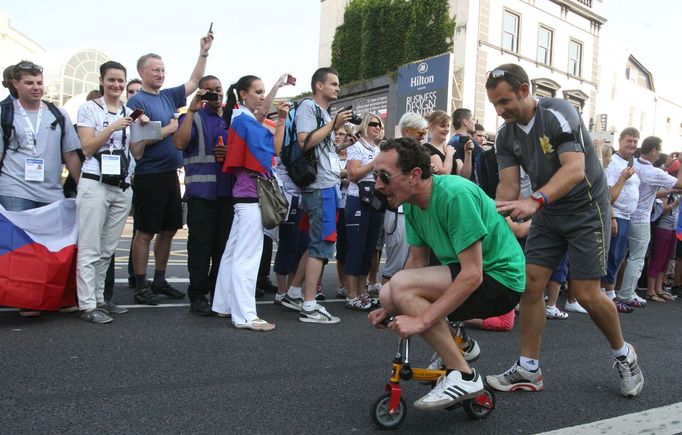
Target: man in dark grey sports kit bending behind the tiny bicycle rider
[(570, 212)]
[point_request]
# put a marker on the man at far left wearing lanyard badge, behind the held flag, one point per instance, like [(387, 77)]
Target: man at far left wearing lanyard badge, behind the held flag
[(31, 158)]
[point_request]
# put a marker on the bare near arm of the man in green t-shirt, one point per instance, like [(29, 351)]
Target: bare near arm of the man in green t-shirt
[(467, 281)]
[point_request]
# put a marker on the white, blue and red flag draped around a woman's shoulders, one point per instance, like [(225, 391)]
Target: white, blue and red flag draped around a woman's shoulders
[(250, 145)]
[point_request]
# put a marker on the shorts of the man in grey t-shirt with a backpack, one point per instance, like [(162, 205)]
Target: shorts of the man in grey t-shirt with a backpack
[(321, 206)]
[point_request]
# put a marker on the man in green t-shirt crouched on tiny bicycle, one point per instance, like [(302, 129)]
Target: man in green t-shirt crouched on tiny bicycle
[(483, 268)]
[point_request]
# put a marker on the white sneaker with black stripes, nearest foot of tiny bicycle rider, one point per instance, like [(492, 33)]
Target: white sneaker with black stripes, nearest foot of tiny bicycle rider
[(449, 390)]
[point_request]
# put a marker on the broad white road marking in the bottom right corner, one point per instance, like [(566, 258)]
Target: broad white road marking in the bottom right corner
[(660, 421)]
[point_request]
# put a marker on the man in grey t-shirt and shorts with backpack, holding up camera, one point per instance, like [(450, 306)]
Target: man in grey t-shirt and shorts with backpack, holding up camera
[(320, 198)]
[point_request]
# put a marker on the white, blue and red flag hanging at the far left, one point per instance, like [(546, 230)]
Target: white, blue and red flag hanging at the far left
[(38, 256)]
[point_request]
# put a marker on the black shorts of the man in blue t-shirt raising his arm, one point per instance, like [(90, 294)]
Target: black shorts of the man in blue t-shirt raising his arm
[(158, 206)]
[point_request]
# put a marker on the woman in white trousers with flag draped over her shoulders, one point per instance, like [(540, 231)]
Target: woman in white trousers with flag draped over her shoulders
[(250, 149)]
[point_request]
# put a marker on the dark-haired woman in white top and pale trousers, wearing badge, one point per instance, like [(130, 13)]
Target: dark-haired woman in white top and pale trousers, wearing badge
[(104, 195)]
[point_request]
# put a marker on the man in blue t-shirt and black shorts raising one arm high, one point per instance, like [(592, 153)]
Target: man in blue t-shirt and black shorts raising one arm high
[(158, 206)]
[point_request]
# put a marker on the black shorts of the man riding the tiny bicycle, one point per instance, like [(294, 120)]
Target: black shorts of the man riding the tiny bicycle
[(491, 299)]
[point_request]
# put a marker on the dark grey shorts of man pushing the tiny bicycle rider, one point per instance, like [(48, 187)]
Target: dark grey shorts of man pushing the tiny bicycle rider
[(585, 234)]
